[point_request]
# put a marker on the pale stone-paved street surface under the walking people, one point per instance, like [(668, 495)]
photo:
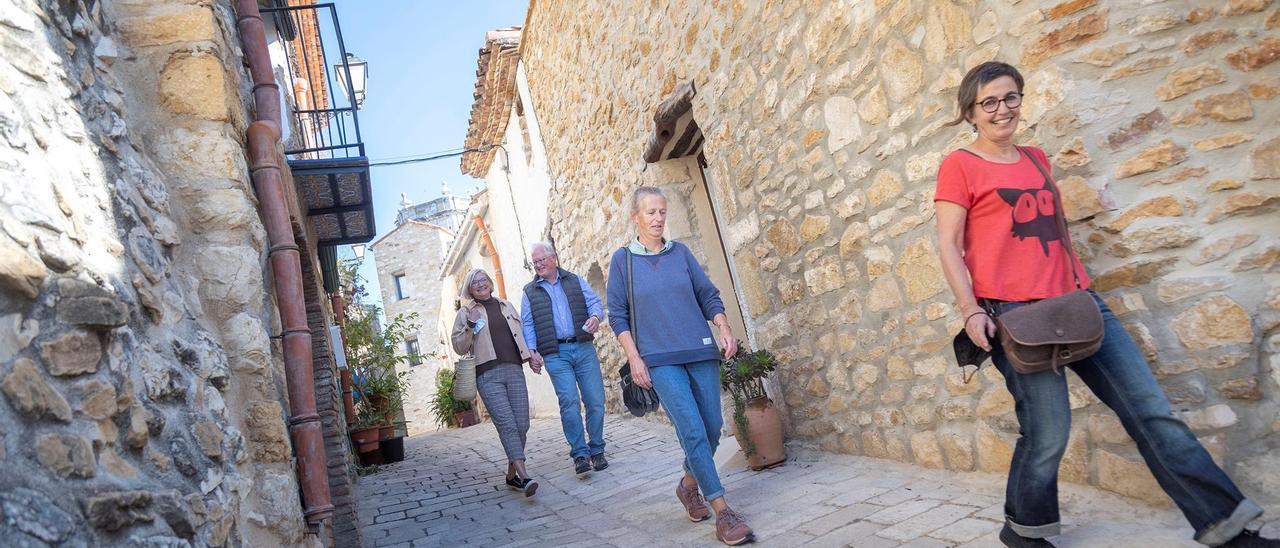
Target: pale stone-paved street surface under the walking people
[(450, 491)]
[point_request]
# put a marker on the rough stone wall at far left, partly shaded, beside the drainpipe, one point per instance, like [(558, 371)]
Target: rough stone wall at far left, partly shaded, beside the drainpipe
[(143, 395)]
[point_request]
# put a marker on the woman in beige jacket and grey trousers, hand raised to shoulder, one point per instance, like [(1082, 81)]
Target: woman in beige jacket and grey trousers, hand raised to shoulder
[(488, 328)]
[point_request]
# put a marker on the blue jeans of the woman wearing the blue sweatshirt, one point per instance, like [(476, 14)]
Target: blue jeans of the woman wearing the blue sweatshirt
[(691, 395)]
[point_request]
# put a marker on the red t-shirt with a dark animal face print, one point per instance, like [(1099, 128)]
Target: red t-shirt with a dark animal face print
[(1013, 241)]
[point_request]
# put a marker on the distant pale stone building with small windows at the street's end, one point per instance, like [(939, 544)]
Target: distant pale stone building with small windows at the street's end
[(417, 250)]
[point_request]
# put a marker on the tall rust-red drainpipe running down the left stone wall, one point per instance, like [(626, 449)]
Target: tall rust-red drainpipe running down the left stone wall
[(264, 141)]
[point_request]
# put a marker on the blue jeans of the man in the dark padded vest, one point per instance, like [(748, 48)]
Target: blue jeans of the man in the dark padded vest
[(574, 371)]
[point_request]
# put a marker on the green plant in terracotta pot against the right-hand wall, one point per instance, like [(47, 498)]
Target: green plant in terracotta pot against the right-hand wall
[(757, 423)]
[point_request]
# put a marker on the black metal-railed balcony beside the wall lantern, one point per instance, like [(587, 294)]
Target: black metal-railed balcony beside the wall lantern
[(323, 143)]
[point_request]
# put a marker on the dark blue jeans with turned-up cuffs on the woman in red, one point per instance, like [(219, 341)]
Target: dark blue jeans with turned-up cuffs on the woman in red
[(1119, 376)]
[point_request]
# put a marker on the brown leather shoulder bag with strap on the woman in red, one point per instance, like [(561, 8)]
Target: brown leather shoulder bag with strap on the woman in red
[(1052, 332)]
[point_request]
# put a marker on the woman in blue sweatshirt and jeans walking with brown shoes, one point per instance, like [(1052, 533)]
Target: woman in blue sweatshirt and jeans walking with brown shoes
[(660, 303)]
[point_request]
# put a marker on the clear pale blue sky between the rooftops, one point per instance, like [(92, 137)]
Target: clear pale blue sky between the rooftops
[(422, 74)]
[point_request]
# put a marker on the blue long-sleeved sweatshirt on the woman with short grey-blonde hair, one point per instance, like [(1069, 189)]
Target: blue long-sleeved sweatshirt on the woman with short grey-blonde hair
[(674, 302)]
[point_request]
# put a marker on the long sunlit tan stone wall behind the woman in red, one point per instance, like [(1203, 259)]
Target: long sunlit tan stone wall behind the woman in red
[(825, 126)]
